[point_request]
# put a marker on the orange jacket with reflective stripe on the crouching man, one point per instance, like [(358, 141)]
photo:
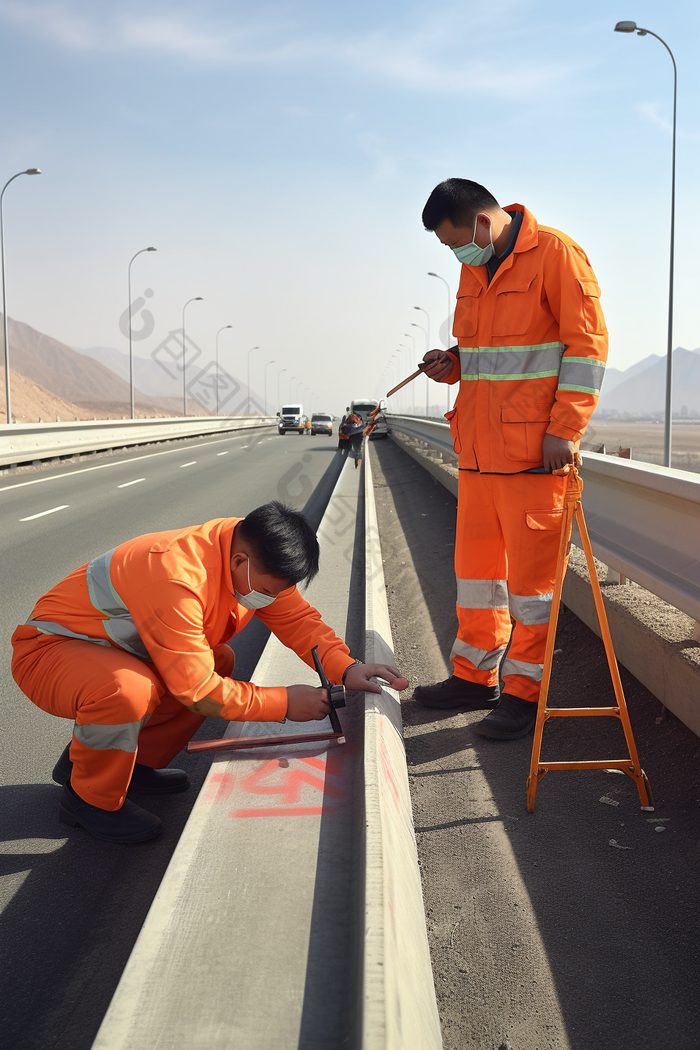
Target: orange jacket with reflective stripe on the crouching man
[(168, 598)]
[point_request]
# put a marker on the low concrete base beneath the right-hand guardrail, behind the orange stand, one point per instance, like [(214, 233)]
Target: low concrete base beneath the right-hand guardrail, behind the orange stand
[(668, 667)]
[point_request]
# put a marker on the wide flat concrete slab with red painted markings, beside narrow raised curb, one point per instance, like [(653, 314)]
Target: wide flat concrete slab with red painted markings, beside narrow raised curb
[(224, 957)]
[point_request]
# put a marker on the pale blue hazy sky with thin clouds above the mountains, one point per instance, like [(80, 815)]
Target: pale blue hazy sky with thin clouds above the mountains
[(279, 156)]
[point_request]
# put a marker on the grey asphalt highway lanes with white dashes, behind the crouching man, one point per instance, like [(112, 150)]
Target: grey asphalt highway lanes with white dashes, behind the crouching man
[(72, 907)]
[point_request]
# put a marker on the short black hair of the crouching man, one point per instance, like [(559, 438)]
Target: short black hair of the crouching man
[(284, 542)]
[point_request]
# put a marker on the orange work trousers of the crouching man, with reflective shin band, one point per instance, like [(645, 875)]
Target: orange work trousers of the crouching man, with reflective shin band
[(119, 703)]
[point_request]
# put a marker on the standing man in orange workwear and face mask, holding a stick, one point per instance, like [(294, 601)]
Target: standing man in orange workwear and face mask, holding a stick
[(531, 359)]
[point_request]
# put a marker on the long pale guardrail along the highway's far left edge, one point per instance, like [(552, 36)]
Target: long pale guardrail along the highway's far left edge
[(28, 443)]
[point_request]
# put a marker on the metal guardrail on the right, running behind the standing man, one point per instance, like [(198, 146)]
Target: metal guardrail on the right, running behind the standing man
[(644, 520)]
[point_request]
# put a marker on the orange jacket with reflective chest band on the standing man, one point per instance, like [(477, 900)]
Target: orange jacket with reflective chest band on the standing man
[(533, 348)]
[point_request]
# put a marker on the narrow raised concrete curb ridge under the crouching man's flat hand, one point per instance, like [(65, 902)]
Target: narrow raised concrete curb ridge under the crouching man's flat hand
[(400, 1007)]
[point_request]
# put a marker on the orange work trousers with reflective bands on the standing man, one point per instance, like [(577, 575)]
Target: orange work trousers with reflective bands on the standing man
[(505, 561)]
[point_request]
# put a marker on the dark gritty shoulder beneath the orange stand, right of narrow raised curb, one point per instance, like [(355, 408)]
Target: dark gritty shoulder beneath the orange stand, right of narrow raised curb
[(572, 928)]
